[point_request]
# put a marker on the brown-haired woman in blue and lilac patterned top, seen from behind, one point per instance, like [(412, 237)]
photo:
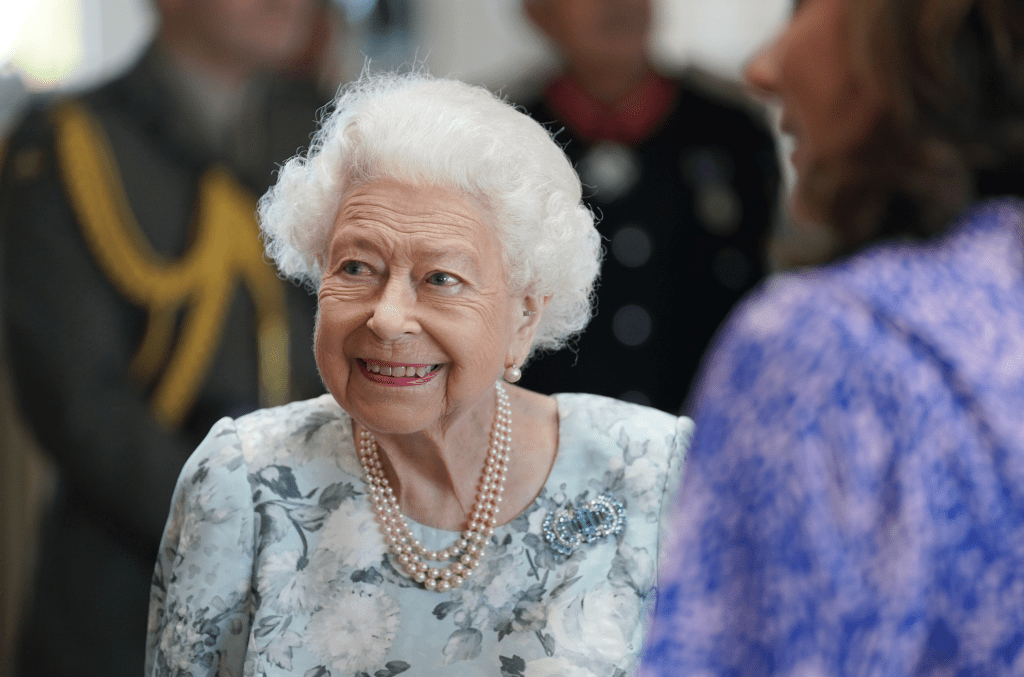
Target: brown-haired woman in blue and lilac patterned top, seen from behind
[(855, 497)]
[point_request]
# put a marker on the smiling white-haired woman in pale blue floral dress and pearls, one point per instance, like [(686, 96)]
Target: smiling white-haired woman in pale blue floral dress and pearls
[(424, 516)]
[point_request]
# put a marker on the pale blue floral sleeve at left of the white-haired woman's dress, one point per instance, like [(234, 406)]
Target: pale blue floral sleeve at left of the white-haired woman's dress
[(201, 602)]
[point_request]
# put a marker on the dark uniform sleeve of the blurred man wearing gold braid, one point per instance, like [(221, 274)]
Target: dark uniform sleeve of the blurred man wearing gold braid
[(71, 341)]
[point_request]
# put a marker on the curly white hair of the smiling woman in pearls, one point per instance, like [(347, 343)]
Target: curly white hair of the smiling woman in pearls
[(422, 131)]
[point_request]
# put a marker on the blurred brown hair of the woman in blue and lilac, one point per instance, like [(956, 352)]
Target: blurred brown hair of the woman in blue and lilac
[(952, 73)]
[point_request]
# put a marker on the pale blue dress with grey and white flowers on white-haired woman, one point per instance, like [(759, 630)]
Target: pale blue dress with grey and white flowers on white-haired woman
[(273, 564)]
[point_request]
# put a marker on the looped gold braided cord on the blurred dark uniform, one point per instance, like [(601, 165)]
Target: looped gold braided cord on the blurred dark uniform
[(227, 250)]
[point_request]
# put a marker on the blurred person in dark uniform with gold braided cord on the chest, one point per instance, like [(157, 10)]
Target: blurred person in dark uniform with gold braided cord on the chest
[(139, 306)]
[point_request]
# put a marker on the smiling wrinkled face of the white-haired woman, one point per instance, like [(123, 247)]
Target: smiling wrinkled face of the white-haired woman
[(416, 320)]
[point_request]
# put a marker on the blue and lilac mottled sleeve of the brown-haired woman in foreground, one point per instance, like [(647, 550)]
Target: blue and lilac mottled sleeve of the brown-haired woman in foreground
[(772, 535)]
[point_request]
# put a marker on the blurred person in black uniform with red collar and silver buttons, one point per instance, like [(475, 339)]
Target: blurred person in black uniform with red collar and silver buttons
[(685, 183)]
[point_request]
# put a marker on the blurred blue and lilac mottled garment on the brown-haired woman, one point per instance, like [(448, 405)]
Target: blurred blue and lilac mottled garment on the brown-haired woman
[(855, 498)]
